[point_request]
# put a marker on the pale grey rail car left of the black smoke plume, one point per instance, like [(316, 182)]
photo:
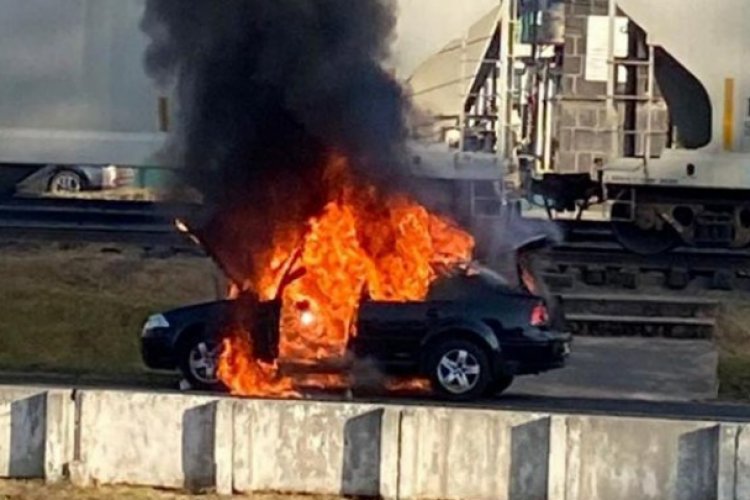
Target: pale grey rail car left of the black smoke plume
[(73, 90)]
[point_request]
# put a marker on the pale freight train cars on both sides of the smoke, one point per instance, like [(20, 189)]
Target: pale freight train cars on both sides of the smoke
[(633, 111)]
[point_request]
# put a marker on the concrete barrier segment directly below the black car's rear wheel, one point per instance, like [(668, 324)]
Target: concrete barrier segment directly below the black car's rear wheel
[(473, 454)]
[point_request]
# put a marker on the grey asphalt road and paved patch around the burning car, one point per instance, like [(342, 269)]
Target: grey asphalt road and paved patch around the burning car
[(633, 377)]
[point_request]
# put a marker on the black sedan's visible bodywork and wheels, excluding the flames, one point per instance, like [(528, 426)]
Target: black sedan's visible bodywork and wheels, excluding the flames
[(471, 337)]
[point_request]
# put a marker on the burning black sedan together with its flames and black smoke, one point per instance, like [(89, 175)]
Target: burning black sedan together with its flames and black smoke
[(338, 243)]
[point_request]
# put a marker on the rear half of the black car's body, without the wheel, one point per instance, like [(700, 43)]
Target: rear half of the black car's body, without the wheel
[(478, 308)]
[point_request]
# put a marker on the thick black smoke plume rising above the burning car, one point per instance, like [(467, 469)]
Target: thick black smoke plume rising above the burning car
[(266, 90)]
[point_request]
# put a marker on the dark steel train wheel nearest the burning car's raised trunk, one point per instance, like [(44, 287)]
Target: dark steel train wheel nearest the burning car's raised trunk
[(642, 236)]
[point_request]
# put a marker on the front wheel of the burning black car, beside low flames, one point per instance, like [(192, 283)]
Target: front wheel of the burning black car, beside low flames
[(198, 362)]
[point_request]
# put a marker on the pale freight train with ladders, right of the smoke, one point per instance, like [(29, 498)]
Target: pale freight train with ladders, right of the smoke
[(636, 112)]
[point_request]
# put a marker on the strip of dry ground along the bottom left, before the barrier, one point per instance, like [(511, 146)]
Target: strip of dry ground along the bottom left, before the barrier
[(35, 490)]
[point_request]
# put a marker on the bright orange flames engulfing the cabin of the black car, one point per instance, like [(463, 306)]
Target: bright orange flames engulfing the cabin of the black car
[(387, 247)]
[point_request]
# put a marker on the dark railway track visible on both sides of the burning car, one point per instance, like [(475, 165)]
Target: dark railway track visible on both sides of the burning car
[(589, 254)]
